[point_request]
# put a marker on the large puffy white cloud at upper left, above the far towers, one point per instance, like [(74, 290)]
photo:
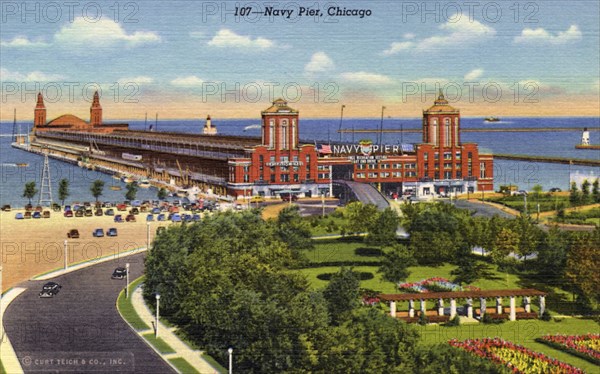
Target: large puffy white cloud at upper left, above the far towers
[(102, 33)]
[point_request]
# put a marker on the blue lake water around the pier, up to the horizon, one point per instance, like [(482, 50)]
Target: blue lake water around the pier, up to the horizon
[(523, 174)]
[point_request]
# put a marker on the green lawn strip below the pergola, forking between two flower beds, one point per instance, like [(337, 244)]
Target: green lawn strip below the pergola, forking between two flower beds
[(520, 332)]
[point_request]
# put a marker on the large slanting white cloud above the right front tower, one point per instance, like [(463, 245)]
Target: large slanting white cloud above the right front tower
[(458, 31)]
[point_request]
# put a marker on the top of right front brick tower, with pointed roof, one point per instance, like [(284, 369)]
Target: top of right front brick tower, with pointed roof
[(441, 124)]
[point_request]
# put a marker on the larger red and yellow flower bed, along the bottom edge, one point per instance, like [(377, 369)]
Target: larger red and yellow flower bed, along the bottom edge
[(517, 358)]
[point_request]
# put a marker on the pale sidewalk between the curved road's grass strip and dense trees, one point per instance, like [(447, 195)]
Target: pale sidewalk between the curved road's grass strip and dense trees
[(193, 357)]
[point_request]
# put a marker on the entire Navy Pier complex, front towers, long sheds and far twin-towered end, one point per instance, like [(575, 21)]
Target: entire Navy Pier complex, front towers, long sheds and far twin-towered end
[(273, 163)]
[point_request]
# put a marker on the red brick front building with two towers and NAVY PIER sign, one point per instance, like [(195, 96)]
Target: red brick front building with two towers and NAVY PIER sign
[(441, 164)]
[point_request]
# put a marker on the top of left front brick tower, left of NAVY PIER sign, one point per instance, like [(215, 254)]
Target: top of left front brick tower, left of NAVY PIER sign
[(280, 126)]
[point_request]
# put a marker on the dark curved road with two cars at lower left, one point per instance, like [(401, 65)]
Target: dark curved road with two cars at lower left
[(80, 329)]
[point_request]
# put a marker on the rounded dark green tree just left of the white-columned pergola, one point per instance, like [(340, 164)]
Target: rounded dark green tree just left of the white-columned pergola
[(342, 294)]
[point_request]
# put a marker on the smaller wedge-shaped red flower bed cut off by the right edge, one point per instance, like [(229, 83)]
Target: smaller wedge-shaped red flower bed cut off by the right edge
[(584, 346)]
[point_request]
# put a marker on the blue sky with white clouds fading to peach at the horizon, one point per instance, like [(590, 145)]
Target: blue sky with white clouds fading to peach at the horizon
[(187, 59)]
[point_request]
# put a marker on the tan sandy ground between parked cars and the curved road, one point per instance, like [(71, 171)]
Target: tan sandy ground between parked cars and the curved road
[(34, 246)]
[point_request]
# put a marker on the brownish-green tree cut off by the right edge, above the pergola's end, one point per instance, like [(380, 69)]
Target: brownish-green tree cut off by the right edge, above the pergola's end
[(583, 262)]
